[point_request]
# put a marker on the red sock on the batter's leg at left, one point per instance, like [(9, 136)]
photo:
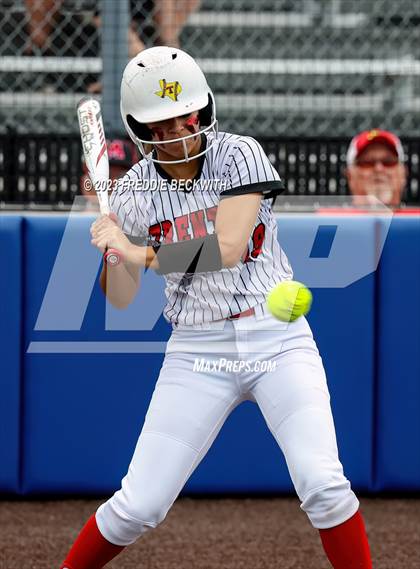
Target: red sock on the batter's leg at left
[(90, 550)]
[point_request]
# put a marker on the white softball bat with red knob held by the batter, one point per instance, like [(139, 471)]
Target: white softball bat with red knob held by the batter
[(96, 158)]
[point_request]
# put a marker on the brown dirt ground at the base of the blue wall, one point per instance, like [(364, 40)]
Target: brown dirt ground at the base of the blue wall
[(206, 534)]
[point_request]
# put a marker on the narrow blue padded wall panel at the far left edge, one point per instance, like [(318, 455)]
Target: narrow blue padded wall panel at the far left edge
[(10, 351)]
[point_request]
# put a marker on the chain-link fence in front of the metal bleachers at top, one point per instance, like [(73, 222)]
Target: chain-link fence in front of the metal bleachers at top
[(277, 67)]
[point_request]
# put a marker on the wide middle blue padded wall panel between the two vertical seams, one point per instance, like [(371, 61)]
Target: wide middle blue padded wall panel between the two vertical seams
[(83, 412)]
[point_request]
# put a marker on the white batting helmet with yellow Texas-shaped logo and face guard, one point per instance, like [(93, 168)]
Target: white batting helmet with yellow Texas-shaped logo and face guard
[(162, 83)]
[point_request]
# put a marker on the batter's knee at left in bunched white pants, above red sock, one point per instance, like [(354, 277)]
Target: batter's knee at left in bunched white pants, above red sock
[(122, 522)]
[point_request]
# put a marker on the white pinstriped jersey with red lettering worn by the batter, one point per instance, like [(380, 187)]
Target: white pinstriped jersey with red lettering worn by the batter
[(149, 203)]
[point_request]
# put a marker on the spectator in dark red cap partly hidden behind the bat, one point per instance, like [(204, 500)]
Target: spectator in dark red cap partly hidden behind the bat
[(122, 155)]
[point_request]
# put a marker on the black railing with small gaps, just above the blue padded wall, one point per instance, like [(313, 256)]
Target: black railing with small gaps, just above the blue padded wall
[(44, 172)]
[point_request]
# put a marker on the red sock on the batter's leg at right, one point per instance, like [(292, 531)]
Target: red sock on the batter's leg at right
[(346, 545)]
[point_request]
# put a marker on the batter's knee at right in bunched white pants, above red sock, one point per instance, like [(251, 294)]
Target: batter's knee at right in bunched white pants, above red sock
[(331, 504)]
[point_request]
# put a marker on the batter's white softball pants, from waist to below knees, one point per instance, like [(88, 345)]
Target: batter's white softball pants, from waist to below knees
[(188, 408)]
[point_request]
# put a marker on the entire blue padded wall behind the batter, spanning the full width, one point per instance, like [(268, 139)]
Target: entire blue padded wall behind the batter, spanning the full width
[(81, 412)]
